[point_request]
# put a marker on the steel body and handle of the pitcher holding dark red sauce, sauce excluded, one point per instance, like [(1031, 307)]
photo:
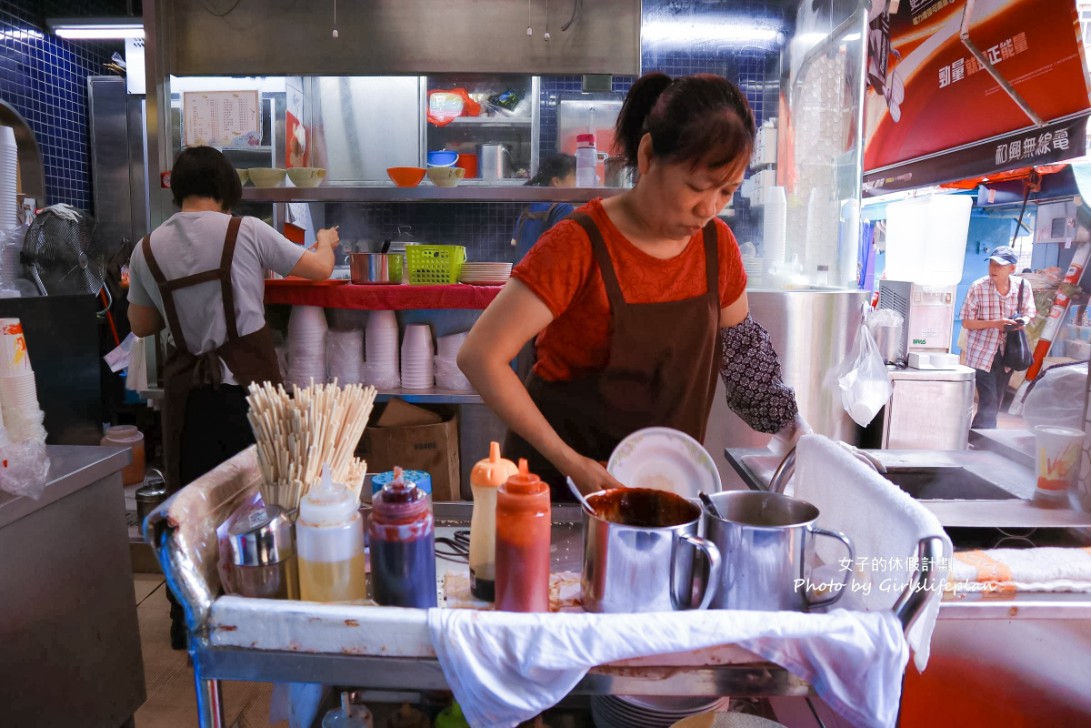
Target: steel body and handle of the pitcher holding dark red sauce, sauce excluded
[(633, 569)]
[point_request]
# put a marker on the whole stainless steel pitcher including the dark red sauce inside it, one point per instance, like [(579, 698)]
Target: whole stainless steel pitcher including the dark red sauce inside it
[(646, 563)]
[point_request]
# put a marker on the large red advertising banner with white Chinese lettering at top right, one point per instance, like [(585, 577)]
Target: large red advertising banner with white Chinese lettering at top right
[(928, 93)]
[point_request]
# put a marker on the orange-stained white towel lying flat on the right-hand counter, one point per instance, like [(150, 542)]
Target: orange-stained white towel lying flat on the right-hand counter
[(1023, 570)]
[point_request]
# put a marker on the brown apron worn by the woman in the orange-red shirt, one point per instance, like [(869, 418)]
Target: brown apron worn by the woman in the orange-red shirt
[(662, 372)]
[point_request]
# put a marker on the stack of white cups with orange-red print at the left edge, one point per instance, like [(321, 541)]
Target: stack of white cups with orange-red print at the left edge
[(19, 393)]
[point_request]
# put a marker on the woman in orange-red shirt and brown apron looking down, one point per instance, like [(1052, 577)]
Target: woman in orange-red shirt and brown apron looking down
[(638, 301)]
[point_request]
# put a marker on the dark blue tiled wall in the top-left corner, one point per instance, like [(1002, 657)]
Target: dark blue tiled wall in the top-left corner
[(45, 79)]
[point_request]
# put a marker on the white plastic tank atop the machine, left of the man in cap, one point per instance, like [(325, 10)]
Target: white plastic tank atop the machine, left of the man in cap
[(927, 240)]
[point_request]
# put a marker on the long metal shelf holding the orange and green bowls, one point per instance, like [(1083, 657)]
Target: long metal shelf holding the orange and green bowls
[(471, 192)]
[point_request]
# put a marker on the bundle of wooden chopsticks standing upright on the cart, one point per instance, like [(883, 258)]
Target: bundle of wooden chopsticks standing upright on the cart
[(297, 434)]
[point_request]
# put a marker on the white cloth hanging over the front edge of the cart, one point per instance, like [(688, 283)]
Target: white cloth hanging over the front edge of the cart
[(508, 667)]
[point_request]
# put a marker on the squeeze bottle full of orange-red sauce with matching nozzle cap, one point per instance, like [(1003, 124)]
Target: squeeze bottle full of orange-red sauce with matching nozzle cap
[(523, 536)]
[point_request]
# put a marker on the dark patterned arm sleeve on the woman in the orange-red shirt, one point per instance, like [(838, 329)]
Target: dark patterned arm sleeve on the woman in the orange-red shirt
[(751, 373)]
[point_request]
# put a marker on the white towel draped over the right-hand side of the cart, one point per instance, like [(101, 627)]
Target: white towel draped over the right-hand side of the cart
[(884, 523)]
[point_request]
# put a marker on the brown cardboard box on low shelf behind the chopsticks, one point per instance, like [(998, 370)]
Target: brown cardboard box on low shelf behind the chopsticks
[(416, 439)]
